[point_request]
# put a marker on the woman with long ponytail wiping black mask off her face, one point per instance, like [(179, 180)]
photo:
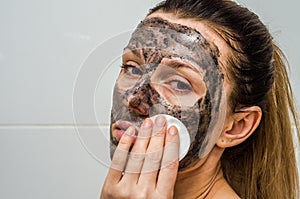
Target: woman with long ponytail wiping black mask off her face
[(181, 61)]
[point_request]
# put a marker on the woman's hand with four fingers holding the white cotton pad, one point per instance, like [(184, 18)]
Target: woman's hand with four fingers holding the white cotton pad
[(150, 169)]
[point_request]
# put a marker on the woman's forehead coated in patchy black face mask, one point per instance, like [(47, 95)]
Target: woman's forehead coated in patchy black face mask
[(156, 38)]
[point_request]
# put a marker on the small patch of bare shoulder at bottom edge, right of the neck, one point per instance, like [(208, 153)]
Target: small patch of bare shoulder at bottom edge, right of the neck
[(222, 190)]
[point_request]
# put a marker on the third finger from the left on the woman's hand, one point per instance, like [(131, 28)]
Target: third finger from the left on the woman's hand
[(154, 152)]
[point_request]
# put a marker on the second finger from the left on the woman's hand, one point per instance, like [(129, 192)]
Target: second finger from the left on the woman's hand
[(137, 154)]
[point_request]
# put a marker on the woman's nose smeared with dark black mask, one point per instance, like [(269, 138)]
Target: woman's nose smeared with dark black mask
[(140, 100)]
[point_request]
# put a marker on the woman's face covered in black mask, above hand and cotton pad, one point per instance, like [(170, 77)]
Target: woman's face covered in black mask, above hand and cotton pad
[(171, 69)]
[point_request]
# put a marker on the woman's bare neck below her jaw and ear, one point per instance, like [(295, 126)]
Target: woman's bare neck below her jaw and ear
[(199, 181)]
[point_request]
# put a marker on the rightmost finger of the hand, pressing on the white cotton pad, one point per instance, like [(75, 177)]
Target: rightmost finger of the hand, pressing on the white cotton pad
[(169, 166)]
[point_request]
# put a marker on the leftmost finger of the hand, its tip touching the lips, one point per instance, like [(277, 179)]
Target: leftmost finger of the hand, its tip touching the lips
[(120, 156)]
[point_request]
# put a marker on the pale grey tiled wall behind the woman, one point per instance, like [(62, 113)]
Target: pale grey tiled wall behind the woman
[(44, 46)]
